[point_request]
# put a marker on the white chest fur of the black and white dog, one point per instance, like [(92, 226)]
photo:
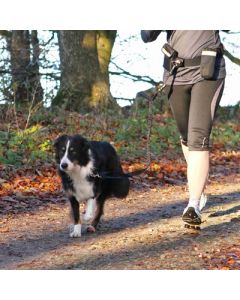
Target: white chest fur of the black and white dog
[(83, 189)]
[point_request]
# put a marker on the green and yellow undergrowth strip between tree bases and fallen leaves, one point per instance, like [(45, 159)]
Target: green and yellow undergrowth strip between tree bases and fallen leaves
[(127, 133)]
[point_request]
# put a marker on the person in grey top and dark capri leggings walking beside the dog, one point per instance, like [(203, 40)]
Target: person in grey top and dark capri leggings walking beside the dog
[(194, 75)]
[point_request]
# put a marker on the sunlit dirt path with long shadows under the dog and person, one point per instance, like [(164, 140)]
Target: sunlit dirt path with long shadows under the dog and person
[(143, 231)]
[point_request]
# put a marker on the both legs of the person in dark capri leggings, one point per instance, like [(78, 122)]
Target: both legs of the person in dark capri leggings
[(194, 108)]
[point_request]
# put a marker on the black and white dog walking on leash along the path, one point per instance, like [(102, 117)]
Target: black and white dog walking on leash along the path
[(90, 172)]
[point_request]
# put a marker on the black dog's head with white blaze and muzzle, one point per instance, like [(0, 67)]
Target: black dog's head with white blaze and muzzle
[(72, 152)]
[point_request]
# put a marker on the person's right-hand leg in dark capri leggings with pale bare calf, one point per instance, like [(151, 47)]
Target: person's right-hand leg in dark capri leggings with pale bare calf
[(205, 99)]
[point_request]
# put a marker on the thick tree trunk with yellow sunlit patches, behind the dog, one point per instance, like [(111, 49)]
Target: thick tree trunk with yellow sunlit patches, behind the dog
[(85, 57)]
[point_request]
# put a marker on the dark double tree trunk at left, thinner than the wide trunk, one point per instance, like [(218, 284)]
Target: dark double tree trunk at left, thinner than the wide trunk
[(26, 84)]
